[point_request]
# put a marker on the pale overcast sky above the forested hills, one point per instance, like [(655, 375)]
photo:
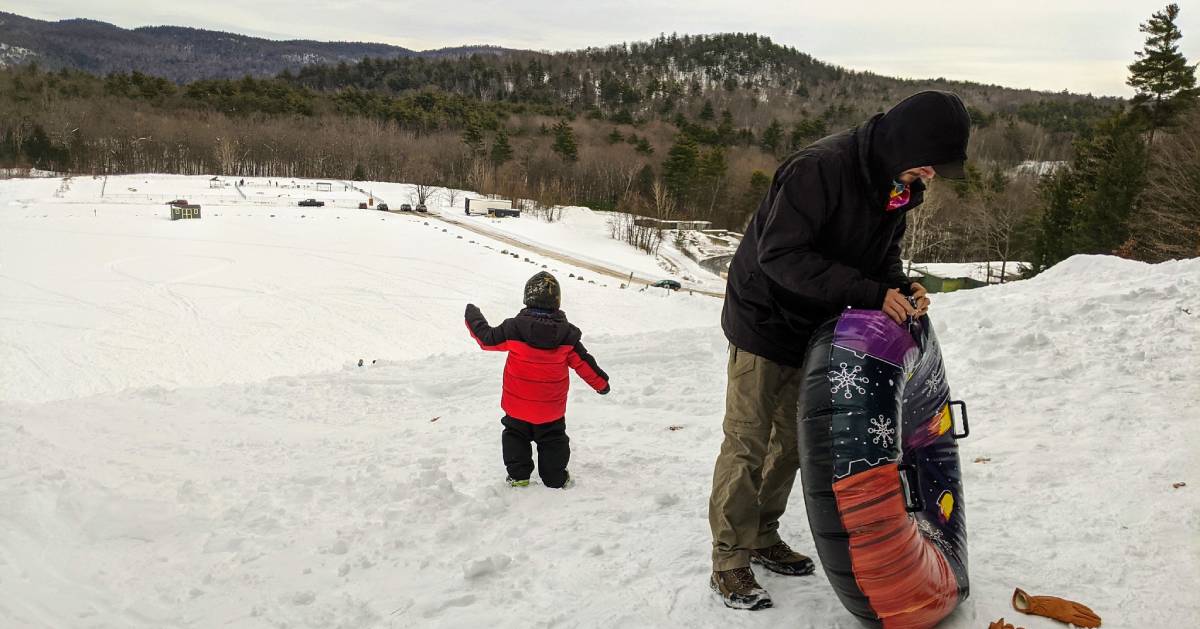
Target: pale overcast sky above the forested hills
[(1082, 46)]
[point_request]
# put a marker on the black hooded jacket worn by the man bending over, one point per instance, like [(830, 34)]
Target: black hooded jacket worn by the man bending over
[(823, 239)]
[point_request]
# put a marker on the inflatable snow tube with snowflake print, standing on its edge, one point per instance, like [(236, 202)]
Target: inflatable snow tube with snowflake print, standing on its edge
[(880, 469)]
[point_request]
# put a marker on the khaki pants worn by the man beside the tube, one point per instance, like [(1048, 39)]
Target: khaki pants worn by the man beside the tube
[(754, 474)]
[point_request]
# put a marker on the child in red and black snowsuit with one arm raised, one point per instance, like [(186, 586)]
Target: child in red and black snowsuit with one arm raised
[(542, 344)]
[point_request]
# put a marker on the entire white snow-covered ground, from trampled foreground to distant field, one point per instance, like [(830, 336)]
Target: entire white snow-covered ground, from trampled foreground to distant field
[(187, 439)]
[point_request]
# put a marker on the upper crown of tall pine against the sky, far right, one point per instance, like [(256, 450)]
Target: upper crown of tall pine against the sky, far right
[(1165, 81)]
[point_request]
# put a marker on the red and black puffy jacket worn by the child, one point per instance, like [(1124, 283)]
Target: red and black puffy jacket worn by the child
[(541, 345)]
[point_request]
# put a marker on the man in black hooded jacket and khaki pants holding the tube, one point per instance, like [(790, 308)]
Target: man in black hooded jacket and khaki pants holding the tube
[(826, 238)]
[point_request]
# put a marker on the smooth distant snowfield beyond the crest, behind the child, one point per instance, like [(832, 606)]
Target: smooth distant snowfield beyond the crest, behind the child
[(103, 293)]
